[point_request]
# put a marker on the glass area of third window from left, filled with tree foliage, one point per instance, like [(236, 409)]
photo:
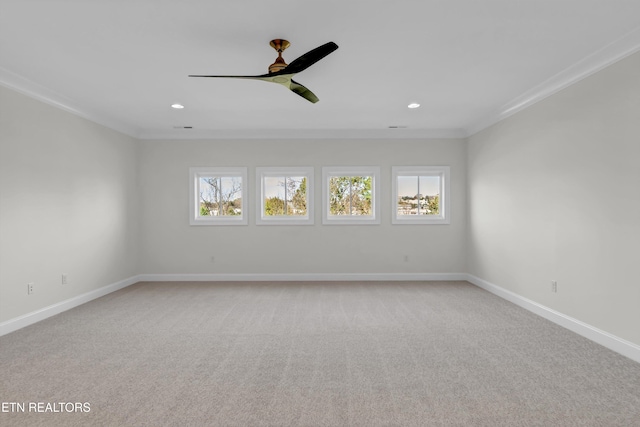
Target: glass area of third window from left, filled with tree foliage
[(350, 195)]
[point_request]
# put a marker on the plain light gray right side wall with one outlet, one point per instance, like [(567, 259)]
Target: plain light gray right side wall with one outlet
[(554, 194)]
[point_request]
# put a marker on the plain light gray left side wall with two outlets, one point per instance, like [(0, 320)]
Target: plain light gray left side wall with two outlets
[(68, 204)]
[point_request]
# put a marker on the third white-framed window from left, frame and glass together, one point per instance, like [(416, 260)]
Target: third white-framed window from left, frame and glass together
[(350, 195)]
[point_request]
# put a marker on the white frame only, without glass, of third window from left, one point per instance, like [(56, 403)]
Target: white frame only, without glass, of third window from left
[(331, 171)]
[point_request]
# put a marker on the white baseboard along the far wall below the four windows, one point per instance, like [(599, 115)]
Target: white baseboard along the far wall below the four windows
[(302, 277)]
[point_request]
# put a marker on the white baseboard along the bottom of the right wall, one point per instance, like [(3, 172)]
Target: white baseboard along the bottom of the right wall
[(619, 345)]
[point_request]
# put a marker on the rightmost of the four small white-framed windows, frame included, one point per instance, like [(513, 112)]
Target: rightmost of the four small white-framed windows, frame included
[(420, 195)]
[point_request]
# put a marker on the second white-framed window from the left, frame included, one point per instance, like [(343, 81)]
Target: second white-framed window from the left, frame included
[(286, 196)]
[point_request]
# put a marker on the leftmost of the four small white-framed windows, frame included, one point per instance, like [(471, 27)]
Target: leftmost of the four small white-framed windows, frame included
[(216, 196)]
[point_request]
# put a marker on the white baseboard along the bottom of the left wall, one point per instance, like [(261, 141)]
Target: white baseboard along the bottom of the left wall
[(38, 315)]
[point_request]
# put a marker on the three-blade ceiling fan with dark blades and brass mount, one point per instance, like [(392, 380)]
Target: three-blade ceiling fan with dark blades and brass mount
[(281, 73)]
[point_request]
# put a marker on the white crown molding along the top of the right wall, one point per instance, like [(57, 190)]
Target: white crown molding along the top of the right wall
[(600, 59)]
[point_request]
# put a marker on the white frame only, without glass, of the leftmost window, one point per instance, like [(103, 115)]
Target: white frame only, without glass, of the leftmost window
[(194, 200)]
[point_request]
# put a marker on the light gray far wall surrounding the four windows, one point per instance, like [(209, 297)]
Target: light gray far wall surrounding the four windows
[(170, 245)]
